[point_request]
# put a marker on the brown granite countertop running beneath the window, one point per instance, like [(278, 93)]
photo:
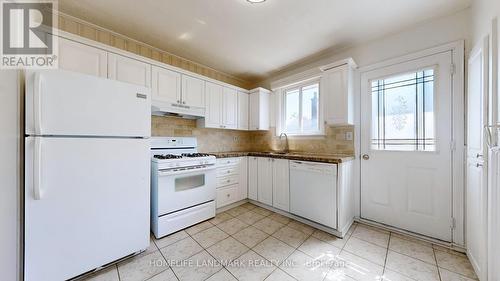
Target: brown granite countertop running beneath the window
[(300, 156)]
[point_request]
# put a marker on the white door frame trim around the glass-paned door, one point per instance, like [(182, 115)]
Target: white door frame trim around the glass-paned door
[(457, 49)]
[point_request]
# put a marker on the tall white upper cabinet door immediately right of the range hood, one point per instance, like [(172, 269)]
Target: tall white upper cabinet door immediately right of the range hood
[(213, 109)]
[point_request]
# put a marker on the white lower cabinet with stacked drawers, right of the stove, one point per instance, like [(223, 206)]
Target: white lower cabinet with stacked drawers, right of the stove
[(231, 180)]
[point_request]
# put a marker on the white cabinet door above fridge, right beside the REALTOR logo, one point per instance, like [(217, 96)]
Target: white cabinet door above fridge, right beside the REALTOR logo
[(82, 58)]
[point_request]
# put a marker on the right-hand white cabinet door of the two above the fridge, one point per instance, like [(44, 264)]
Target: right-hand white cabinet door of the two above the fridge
[(129, 70)]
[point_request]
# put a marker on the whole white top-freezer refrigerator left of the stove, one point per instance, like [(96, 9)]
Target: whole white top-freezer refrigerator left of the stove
[(87, 173)]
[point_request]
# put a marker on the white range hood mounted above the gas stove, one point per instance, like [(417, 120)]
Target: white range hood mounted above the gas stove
[(159, 108)]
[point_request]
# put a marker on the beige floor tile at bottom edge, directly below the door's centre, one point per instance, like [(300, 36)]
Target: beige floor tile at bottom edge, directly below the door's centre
[(411, 267)]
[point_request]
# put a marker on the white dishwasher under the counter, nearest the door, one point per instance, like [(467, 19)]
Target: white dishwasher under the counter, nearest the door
[(313, 192)]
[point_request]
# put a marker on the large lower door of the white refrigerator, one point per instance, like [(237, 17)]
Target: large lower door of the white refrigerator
[(86, 204)]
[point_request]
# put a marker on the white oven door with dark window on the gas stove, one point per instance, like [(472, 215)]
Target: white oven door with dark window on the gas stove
[(181, 189)]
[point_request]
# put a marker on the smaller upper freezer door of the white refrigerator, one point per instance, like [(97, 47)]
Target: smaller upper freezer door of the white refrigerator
[(63, 103)]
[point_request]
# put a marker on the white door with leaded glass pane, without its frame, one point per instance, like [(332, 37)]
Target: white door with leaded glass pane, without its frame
[(406, 143)]
